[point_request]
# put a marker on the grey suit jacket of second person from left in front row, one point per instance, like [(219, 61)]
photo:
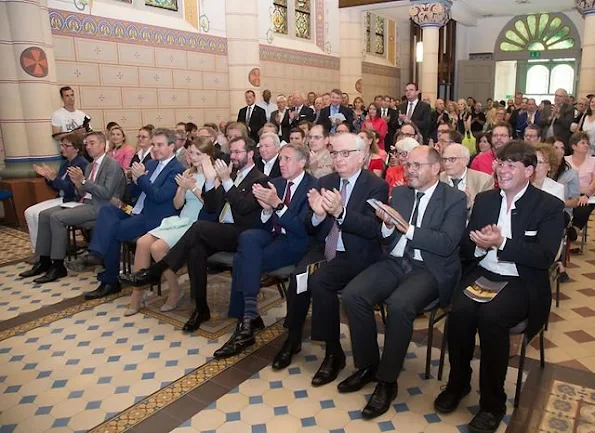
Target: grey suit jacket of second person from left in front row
[(109, 183)]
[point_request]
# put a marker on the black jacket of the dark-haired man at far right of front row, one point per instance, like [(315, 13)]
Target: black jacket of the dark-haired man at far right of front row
[(537, 229)]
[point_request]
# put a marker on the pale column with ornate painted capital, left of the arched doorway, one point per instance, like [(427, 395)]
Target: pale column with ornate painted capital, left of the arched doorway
[(430, 16)]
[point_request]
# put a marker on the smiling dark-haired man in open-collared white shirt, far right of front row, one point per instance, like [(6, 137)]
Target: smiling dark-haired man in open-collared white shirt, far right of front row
[(513, 236)]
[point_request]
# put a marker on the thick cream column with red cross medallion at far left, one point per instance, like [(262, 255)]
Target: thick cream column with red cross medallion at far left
[(27, 86)]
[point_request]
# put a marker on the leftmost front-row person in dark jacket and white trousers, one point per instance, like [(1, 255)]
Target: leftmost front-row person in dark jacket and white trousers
[(71, 149)]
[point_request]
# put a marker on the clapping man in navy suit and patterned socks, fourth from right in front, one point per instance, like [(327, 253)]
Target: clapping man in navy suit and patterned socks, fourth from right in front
[(281, 241)]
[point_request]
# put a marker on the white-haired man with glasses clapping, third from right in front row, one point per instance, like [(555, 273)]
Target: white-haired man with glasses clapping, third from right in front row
[(347, 232)]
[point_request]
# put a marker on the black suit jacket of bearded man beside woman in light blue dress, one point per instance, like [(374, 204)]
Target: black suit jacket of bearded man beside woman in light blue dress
[(244, 207)]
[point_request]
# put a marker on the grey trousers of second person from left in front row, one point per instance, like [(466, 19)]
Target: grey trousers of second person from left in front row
[(52, 234)]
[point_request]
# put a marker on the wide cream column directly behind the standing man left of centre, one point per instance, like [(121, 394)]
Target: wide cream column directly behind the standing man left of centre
[(243, 55)]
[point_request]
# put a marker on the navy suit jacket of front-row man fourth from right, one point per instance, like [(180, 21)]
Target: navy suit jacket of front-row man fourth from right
[(293, 220)]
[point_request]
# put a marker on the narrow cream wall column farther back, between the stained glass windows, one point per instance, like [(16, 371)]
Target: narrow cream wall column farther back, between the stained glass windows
[(350, 49)]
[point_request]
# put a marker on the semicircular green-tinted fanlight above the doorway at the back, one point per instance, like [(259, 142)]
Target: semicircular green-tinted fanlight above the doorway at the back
[(537, 33)]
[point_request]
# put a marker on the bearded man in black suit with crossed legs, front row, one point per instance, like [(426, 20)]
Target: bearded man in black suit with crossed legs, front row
[(237, 210)]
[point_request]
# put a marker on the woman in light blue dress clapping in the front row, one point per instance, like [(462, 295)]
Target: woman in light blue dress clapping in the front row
[(159, 241)]
